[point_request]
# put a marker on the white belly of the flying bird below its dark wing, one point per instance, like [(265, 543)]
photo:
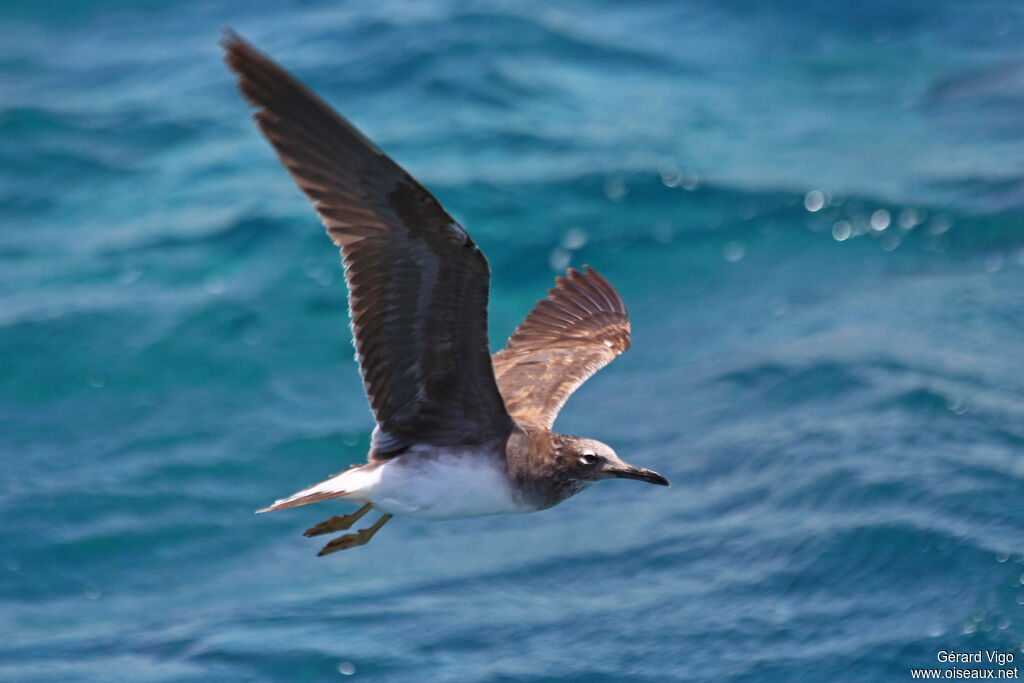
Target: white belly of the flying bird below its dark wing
[(440, 486)]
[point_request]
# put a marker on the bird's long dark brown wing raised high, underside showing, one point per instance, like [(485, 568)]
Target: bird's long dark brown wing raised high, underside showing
[(418, 284)]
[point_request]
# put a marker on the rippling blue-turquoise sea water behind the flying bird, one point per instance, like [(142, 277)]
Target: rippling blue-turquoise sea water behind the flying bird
[(816, 214)]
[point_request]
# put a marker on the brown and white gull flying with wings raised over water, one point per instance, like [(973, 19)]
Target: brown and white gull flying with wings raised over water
[(460, 433)]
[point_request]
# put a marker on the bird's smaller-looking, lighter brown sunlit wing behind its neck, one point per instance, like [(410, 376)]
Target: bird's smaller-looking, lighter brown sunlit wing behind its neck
[(578, 330)]
